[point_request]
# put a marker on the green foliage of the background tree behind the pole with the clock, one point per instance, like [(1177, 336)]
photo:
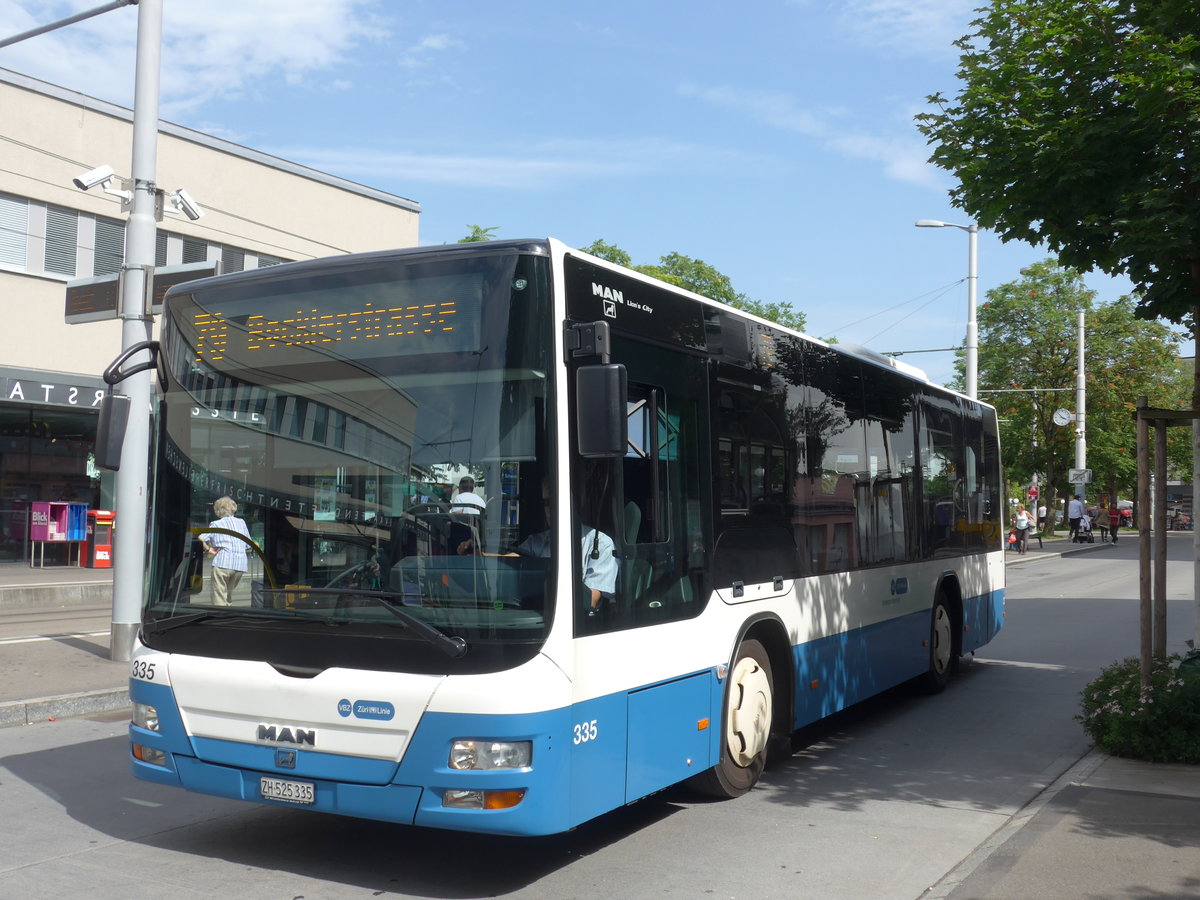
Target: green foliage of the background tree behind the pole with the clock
[(1029, 346)]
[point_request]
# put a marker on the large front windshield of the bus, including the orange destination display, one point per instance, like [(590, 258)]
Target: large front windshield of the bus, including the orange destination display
[(377, 428)]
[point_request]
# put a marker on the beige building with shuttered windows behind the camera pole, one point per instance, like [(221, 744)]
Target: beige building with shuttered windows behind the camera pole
[(260, 211)]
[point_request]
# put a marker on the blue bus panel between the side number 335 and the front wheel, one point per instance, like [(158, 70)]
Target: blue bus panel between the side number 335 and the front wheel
[(669, 737)]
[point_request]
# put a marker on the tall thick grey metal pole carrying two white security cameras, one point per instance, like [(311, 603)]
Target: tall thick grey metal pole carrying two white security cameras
[(133, 500)]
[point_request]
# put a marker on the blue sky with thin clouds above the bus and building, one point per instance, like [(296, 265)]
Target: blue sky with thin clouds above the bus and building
[(771, 139)]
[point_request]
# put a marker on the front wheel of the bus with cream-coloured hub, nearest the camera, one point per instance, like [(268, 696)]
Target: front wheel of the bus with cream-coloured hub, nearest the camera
[(746, 725)]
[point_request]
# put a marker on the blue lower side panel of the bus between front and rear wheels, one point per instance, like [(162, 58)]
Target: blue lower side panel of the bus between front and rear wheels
[(839, 671)]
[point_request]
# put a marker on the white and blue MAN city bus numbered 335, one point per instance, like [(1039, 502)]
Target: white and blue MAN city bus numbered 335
[(790, 527)]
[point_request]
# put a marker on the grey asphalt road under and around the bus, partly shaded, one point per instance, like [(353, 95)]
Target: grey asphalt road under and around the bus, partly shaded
[(883, 802)]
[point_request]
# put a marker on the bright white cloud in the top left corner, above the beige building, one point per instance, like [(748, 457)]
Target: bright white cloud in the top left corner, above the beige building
[(209, 50)]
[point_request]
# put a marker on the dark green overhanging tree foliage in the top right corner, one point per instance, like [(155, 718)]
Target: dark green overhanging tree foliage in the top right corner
[(1078, 125)]
